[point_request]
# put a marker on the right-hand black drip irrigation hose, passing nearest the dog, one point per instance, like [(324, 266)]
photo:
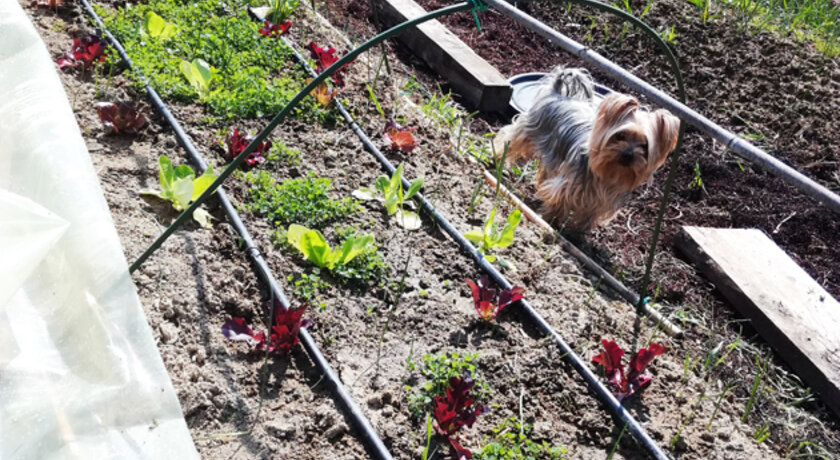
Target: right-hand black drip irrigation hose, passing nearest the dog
[(592, 381)]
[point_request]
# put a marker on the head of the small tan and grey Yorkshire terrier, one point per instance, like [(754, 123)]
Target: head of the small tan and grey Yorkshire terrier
[(628, 144)]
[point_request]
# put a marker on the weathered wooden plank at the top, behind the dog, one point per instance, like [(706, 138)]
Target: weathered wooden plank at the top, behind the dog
[(475, 79)]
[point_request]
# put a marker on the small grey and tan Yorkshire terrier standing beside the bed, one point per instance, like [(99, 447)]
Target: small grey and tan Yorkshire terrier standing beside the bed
[(592, 153)]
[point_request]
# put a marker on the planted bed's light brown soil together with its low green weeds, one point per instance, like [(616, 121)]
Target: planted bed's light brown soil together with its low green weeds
[(390, 317)]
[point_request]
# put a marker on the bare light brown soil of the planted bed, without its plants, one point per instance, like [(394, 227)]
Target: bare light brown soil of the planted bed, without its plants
[(200, 278)]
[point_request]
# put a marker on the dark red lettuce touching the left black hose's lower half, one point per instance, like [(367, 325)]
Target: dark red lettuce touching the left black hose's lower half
[(284, 331)]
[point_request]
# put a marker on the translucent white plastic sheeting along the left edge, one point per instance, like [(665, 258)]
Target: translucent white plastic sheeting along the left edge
[(80, 375)]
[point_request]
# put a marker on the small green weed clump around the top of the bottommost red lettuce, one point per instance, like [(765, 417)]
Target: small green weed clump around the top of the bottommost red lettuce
[(437, 370)]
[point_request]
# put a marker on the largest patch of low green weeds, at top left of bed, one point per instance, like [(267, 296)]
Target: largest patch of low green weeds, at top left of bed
[(246, 76)]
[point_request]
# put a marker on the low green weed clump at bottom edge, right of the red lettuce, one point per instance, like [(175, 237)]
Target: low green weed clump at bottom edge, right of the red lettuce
[(511, 441)]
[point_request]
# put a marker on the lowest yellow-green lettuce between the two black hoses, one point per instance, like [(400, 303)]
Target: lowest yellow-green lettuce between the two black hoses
[(314, 247)]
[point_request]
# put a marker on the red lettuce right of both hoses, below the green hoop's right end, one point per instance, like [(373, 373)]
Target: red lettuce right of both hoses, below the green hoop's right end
[(635, 380)]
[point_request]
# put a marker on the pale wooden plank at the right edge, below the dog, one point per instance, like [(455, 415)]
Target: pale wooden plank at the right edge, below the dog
[(786, 306)]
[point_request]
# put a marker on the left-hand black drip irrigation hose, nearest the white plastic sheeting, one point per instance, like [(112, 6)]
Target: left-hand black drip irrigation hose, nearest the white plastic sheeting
[(371, 440)]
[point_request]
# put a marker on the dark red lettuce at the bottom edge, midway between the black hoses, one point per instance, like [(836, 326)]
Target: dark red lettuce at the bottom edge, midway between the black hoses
[(455, 410)]
